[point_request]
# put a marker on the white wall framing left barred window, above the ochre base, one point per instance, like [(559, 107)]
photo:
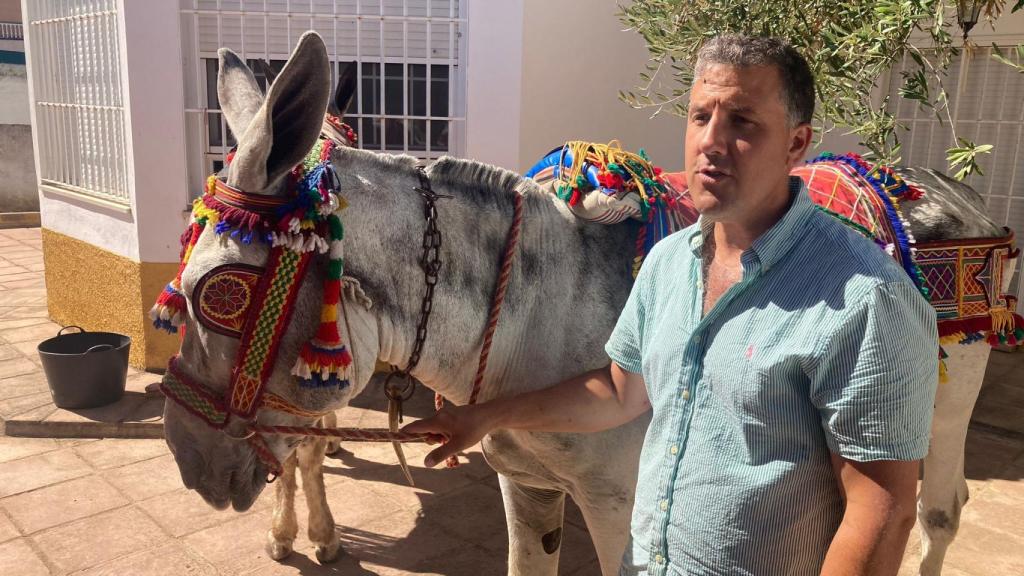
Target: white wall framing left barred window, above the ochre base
[(151, 69)]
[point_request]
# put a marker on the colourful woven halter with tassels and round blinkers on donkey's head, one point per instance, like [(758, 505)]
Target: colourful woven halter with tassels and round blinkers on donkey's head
[(257, 305)]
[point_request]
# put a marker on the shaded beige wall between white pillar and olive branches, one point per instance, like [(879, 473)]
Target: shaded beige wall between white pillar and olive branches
[(576, 59)]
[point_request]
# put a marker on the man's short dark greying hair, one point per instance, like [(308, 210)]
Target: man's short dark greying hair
[(745, 52)]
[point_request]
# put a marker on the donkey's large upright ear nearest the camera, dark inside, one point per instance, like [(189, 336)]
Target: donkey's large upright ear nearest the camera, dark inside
[(289, 122)]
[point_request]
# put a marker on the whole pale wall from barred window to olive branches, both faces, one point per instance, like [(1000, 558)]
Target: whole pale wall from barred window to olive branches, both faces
[(526, 98)]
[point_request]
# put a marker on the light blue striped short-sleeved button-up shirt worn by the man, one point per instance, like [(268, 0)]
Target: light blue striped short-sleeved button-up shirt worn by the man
[(825, 346)]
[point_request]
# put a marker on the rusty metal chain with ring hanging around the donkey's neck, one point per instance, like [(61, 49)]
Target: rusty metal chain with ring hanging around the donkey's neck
[(431, 262)]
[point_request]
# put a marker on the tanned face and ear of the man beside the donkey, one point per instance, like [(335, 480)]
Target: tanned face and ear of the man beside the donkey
[(740, 144)]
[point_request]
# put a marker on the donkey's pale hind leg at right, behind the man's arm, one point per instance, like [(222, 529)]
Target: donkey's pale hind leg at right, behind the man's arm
[(944, 490)]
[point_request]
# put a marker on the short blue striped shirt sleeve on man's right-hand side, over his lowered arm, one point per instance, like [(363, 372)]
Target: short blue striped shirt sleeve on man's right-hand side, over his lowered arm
[(876, 378)]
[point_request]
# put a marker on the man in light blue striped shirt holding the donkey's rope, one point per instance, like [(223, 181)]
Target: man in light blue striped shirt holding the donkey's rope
[(791, 364)]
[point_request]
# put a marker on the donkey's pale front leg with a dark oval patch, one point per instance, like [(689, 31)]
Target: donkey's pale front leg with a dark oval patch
[(535, 522)]
